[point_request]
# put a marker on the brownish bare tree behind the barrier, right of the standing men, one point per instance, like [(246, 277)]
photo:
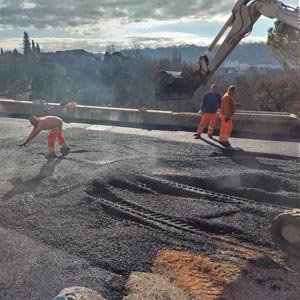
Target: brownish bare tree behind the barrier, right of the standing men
[(277, 92)]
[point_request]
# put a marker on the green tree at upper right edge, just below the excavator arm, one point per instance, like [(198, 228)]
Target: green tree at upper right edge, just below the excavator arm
[(284, 41)]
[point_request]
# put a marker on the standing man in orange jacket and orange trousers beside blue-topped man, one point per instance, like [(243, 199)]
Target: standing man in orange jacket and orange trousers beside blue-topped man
[(228, 108)]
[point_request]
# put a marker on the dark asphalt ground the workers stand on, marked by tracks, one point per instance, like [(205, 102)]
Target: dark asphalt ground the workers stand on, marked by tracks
[(59, 228)]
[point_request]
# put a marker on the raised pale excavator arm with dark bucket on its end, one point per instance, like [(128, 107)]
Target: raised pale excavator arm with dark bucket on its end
[(182, 85)]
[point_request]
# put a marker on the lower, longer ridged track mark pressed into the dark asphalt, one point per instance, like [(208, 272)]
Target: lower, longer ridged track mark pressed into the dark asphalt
[(118, 206)]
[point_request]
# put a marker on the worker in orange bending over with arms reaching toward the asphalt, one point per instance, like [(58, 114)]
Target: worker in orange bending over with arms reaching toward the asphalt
[(54, 125)]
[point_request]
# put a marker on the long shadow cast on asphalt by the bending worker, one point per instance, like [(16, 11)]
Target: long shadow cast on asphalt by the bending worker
[(20, 186)]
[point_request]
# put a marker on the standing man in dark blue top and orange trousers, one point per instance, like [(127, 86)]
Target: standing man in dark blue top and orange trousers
[(210, 104)]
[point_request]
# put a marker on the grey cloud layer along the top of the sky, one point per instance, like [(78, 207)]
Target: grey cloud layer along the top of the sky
[(77, 13)]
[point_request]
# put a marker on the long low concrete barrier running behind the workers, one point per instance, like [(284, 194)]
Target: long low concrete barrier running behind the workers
[(244, 121)]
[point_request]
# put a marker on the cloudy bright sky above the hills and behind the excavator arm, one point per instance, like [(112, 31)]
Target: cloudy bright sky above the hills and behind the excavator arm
[(93, 25)]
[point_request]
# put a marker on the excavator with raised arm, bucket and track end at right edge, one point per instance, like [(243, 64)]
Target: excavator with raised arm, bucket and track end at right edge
[(170, 85)]
